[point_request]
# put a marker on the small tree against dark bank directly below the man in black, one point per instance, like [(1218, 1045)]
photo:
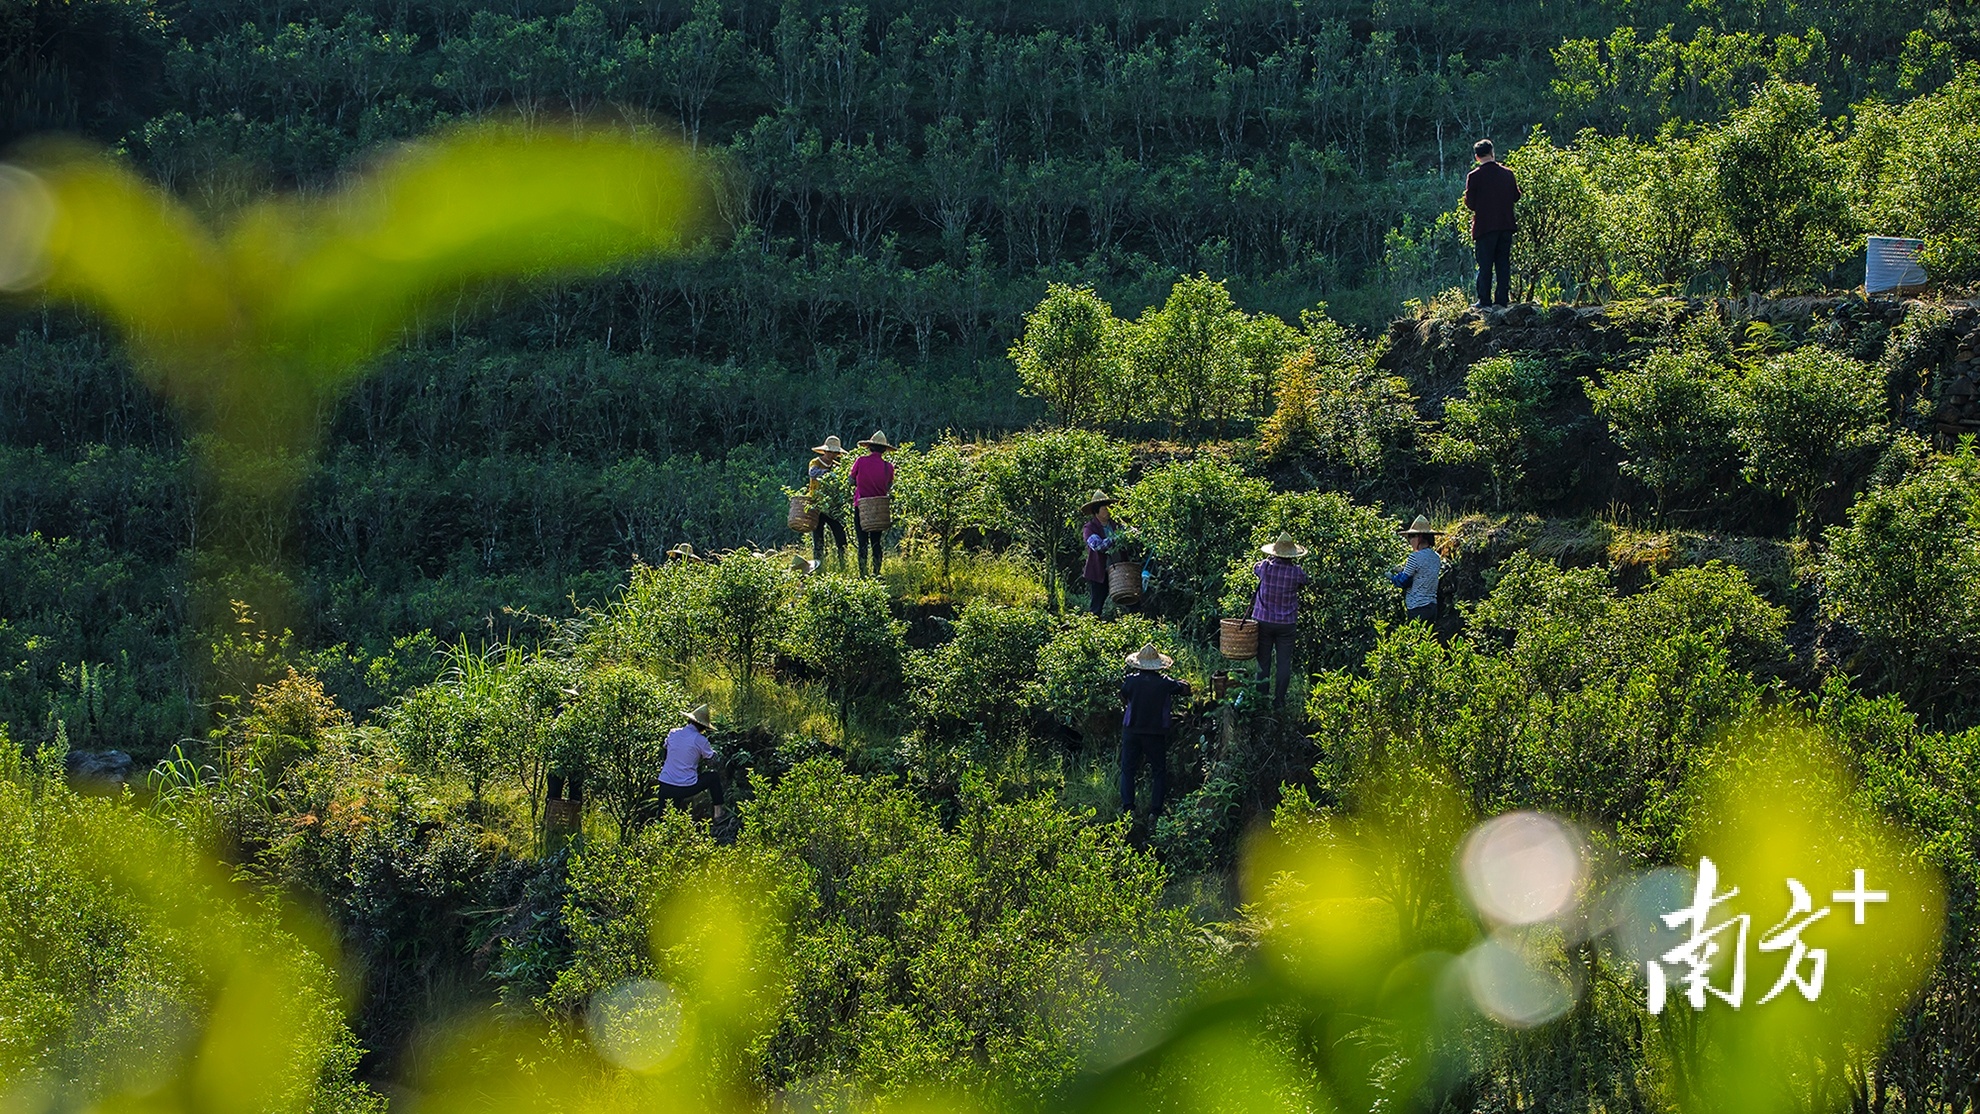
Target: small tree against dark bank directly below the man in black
[(1502, 422)]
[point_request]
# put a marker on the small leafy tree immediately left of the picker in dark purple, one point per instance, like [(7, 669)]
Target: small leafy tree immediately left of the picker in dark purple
[(1039, 482)]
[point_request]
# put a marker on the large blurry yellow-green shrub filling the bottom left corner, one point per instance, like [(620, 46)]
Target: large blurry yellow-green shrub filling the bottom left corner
[(134, 965)]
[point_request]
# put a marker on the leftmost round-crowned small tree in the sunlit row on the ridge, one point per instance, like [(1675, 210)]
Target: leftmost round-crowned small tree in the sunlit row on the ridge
[(1068, 353)]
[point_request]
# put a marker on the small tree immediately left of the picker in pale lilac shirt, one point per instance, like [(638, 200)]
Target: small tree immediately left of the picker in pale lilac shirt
[(619, 723)]
